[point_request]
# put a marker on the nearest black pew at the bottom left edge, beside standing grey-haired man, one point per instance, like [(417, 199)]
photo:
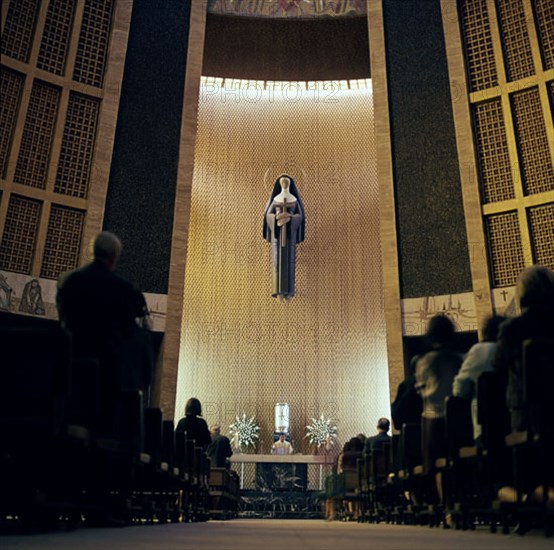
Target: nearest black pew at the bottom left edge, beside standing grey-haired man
[(39, 447)]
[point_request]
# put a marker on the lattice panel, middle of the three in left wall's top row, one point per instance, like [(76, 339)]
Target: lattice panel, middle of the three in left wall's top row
[(56, 35)]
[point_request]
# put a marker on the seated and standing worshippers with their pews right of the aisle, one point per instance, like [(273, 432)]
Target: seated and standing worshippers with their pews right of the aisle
[(473, 435)]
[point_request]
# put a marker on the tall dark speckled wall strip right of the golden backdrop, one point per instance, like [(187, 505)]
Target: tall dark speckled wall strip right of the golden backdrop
[(433, 251)]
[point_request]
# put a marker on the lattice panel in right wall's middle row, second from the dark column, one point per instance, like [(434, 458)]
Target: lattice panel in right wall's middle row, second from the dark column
[(534, 153)]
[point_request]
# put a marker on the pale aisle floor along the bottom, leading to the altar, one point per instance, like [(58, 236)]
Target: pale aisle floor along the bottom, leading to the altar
[(275, 535)]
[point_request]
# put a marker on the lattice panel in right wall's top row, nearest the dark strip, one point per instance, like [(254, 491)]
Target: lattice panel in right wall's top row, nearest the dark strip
[(479, 52)]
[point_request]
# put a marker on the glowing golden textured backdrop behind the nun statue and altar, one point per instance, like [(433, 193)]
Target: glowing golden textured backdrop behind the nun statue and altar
[(242, 351)]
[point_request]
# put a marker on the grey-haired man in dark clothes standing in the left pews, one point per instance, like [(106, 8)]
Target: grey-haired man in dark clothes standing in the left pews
[(100, 309)]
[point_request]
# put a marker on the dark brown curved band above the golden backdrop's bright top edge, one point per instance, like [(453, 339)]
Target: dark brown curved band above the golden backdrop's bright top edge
[(290, 50)]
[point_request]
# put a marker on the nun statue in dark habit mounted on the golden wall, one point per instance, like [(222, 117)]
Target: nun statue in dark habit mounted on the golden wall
[(284, 229)]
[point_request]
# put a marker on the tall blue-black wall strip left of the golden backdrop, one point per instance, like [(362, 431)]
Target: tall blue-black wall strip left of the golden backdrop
[(141, 194)]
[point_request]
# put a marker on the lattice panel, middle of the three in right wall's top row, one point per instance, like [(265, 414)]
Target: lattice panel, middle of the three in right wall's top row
[(515, 39)]
